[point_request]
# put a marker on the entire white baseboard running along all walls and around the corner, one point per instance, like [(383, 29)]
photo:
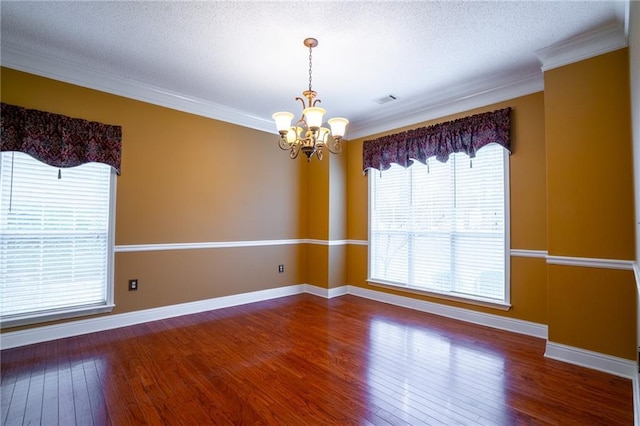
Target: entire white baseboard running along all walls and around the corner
[(582, 357)]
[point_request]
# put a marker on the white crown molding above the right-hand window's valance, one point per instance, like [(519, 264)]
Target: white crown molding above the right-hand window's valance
[(459, 98)]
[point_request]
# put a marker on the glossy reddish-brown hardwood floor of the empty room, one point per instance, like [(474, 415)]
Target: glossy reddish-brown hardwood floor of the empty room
[(305, 360)]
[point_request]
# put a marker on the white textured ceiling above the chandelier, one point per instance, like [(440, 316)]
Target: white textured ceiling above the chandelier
[(238, 59)]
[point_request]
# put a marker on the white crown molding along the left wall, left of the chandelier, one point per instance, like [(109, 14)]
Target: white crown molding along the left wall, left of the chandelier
[(51, 67)]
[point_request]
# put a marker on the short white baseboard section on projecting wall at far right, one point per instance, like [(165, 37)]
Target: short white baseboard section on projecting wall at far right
[(596, 361)]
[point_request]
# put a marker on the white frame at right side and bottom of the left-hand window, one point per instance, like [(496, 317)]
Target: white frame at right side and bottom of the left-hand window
[(84, 310)]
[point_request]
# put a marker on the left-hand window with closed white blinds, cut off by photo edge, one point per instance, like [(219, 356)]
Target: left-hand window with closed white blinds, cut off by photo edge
[(56, 239)]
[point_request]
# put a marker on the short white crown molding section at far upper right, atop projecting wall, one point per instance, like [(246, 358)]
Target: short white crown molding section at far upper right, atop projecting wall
[(585, 46)]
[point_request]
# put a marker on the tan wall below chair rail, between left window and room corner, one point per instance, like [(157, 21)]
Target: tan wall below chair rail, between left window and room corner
[(180, 276)]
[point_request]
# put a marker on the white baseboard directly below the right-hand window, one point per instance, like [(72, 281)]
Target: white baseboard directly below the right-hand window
[(475, 317)]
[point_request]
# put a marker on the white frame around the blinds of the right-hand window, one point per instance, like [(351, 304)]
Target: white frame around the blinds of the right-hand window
[(505, 304)]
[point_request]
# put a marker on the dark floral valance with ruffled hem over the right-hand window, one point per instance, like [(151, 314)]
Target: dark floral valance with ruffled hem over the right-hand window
[(467, 135)]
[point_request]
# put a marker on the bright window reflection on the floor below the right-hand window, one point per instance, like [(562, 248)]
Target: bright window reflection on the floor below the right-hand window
[(435, 378)]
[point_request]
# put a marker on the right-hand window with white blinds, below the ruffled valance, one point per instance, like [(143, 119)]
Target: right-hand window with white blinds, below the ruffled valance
[(443, 227)]
